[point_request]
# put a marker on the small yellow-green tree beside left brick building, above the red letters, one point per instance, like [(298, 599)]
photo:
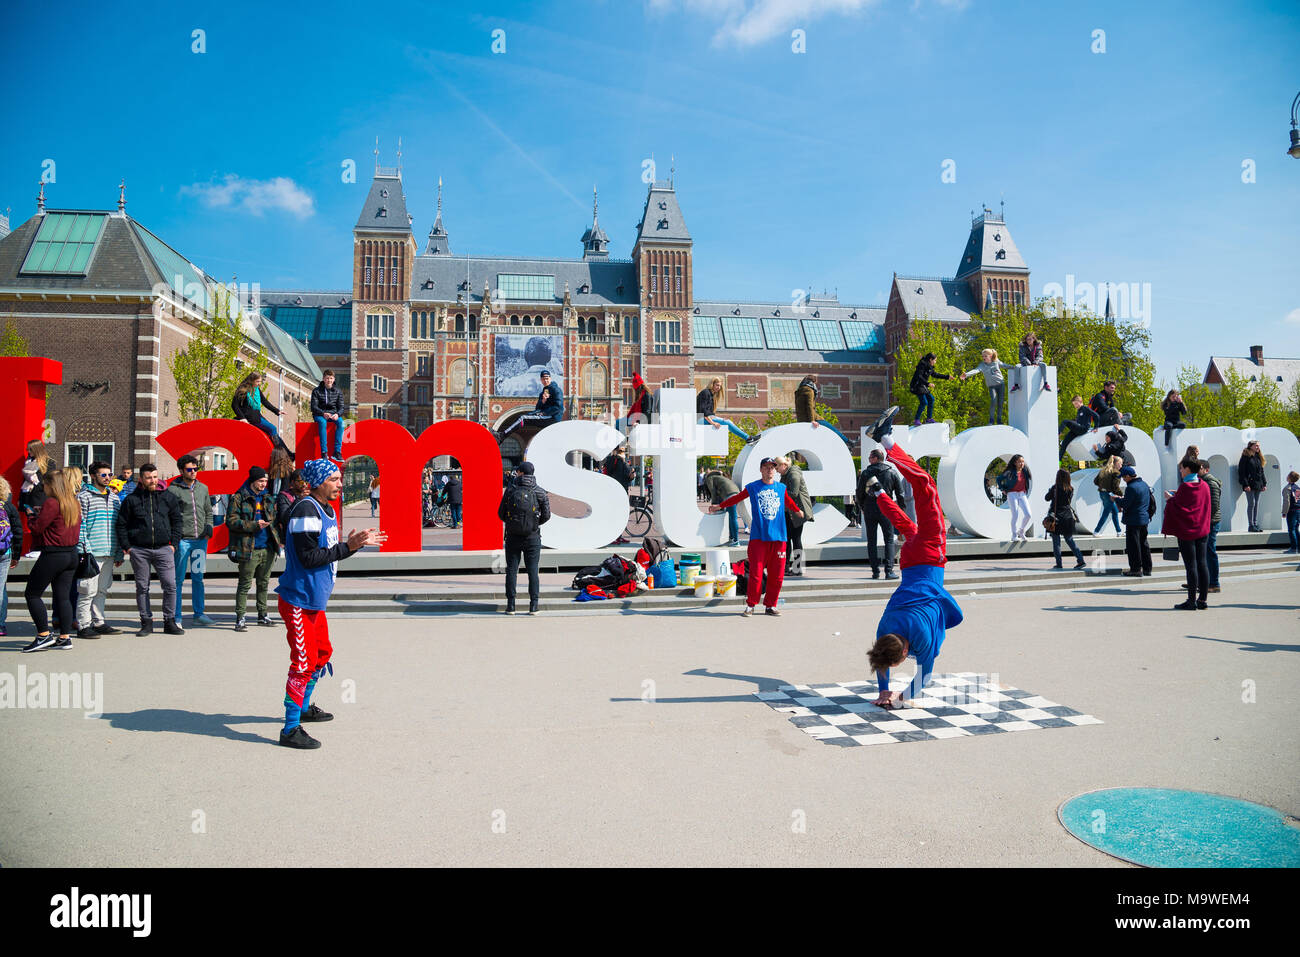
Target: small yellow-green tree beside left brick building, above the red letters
[(209, 369)]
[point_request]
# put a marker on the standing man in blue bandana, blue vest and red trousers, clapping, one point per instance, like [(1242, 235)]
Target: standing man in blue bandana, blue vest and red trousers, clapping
[(311, 556)]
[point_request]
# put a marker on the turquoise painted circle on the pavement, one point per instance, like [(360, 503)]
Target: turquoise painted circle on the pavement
[(1158, 828)]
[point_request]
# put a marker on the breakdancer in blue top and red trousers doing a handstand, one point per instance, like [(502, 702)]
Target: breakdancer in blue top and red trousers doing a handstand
[(921, 610)]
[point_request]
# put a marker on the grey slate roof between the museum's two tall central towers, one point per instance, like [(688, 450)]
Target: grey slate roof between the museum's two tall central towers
[(603, 279)]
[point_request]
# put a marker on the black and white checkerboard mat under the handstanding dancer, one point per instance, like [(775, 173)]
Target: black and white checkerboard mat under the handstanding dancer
[(951, 707)]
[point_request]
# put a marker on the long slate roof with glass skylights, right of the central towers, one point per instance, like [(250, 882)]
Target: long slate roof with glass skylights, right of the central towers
[(814, 309)]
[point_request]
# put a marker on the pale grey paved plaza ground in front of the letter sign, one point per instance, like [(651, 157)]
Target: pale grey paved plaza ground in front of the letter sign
[(638, 739)]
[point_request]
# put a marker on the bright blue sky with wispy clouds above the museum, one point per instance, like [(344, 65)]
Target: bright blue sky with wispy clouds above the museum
[(814, 170)]
